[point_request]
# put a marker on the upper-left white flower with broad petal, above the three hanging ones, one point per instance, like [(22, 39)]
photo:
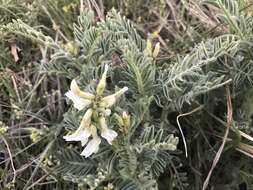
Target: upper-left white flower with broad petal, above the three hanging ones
[(80, 99)]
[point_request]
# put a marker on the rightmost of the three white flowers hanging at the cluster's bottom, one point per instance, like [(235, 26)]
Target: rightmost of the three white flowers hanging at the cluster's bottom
[(107, 133)]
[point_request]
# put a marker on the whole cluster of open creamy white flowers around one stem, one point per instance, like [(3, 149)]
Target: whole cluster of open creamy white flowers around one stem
[(94, 119)]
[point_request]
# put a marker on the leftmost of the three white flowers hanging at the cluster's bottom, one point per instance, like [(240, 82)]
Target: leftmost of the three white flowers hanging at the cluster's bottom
[(83, 132)]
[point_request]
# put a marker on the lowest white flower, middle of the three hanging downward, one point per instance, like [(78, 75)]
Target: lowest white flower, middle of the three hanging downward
[(93, 145)]
